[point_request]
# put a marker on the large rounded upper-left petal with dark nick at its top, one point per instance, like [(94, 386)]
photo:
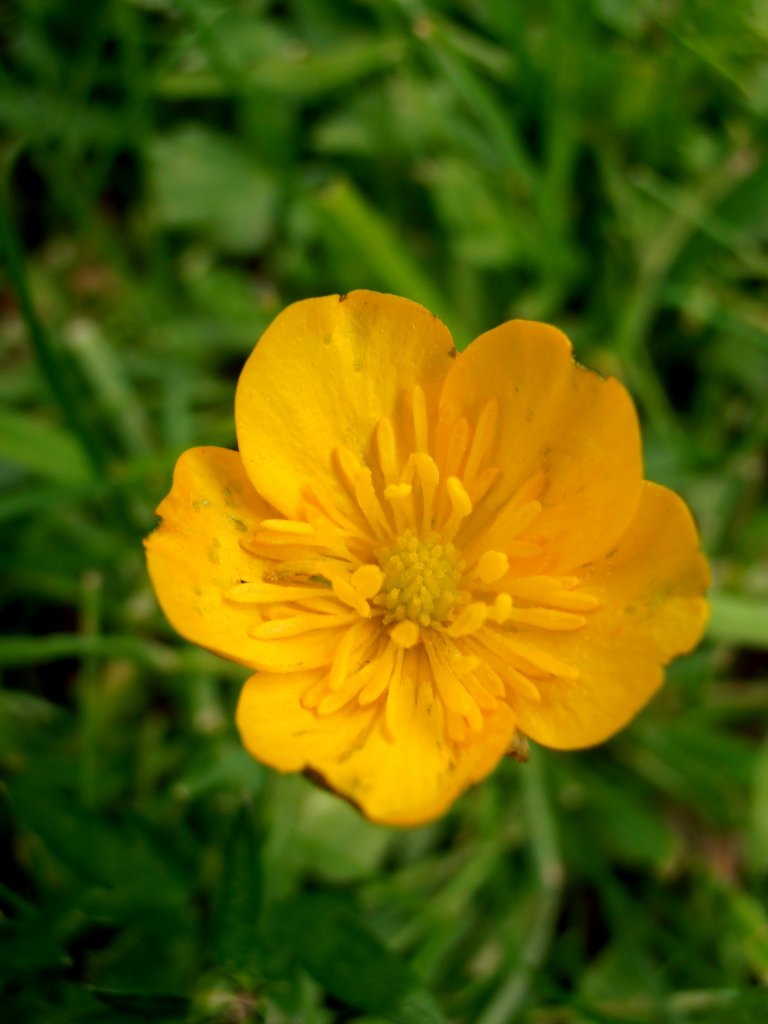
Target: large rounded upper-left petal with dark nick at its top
[(322, 376)]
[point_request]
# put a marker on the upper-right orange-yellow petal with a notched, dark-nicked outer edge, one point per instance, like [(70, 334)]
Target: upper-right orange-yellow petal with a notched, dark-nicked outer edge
[(580, 430)]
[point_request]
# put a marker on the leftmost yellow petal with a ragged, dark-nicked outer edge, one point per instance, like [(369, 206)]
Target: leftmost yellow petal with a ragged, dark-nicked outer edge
[(195, 556)]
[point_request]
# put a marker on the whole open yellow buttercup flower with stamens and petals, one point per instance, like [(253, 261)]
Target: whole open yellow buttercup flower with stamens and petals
[(423, 552)]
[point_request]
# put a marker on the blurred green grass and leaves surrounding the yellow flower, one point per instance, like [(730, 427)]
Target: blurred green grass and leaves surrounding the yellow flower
[(175, 173)]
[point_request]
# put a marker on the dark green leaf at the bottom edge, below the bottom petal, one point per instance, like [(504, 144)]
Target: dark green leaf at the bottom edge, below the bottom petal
[(336, 949)]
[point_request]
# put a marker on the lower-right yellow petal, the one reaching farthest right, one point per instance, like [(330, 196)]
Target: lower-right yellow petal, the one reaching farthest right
[(652, 591)]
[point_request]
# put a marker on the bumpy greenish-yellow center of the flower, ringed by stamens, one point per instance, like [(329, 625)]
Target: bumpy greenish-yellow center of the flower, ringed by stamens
[(421, 580)]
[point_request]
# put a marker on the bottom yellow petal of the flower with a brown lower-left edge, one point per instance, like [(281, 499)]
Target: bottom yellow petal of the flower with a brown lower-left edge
[(406, 781)]
